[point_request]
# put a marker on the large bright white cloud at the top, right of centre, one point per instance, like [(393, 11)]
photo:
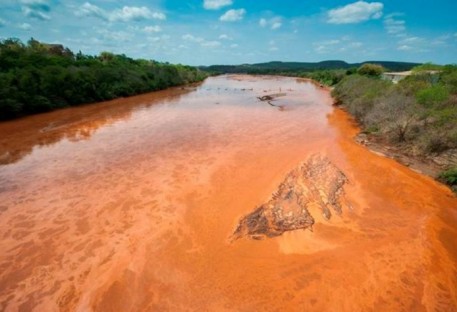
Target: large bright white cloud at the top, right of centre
[(356, 12)]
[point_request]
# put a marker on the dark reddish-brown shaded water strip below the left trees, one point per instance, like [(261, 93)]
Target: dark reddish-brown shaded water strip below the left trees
[(19, 137)]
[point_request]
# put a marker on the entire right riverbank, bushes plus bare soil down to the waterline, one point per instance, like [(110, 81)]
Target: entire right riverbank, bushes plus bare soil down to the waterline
[(412, 122)]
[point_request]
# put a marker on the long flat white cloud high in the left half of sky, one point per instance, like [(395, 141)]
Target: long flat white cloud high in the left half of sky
[(125, 14)]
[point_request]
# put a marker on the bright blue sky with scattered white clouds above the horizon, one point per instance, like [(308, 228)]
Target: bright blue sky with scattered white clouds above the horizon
[(204, 32)]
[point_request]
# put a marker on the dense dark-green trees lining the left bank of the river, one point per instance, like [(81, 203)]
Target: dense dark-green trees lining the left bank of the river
[(37, 77)]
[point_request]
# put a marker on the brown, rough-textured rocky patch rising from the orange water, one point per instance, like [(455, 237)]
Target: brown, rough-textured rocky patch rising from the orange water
[(314, 183)]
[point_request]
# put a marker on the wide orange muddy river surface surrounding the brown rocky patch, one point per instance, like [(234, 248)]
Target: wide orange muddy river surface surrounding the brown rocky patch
[(129, 205)]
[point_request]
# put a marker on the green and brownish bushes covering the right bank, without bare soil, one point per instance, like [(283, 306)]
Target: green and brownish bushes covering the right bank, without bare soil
[(419, 113)]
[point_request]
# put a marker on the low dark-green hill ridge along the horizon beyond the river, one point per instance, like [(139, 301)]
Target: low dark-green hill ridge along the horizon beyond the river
[(272, 67)]
